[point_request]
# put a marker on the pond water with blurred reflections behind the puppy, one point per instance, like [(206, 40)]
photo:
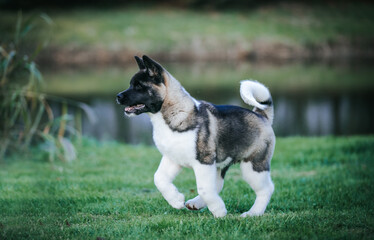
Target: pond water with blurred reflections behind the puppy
[(302, 112)]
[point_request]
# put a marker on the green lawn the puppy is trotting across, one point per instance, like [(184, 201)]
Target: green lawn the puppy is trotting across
[(323, 189)]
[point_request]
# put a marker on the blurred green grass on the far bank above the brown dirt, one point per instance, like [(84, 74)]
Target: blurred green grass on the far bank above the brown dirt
[(152, 29)]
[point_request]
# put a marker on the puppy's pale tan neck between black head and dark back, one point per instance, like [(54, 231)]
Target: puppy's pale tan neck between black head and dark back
[(179, 108)]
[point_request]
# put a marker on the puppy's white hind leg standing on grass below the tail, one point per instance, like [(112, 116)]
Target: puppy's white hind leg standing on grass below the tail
[(261, 183)]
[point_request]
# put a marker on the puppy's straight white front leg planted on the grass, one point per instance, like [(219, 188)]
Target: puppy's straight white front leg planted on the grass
[(207, 188)]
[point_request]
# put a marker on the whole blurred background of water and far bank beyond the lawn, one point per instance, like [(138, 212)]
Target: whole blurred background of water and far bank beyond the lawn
[(316, 57)]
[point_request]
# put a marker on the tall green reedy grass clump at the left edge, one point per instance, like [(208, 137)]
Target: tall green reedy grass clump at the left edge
[(26, 115)]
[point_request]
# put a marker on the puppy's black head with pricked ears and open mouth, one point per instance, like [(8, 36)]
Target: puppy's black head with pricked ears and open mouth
[(147, 88)]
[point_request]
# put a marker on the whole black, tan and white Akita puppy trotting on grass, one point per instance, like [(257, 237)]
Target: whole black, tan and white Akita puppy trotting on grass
[(205, 137)]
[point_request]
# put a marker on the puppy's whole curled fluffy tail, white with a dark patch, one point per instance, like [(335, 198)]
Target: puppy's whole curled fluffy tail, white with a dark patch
[(257, 95)]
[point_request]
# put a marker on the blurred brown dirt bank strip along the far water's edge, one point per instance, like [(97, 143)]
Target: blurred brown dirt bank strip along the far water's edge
[(259, 50)]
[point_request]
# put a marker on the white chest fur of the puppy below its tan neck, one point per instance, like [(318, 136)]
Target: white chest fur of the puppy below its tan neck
[(179, 147)]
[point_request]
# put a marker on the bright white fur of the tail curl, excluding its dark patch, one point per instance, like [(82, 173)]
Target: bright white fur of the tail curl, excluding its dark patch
[(253, 92)]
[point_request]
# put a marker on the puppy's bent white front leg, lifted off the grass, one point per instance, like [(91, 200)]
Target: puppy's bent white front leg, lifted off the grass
[(163, 179)]
